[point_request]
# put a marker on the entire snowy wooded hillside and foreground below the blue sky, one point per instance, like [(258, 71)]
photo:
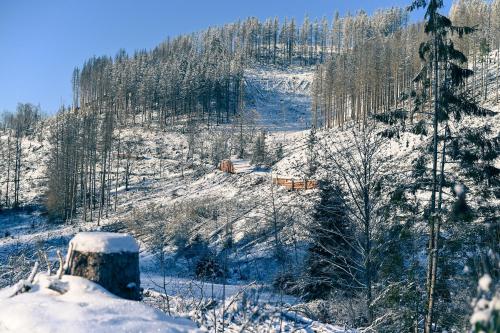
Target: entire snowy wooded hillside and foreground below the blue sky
[(333, 174)]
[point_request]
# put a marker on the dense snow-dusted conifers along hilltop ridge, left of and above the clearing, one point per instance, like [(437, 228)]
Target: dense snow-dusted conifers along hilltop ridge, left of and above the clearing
[(200, 76)]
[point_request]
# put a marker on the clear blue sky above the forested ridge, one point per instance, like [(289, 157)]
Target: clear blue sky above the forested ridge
[(42, 41)]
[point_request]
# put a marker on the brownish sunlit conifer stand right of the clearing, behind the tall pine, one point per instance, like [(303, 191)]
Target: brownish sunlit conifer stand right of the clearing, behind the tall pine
[(376, 73)]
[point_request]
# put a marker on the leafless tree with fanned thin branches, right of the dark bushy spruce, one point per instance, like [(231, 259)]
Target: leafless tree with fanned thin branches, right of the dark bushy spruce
[(359, 163)]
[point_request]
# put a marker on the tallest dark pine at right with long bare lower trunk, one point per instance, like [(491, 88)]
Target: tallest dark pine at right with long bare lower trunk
[(442, 67)]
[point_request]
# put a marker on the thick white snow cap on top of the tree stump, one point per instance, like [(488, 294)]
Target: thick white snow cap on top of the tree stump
[(103, 242)]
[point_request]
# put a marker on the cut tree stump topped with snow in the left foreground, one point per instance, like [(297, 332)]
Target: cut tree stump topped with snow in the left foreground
[(109, 259)]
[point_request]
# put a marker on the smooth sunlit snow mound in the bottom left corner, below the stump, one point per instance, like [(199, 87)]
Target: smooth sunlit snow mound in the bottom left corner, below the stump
[(85, 307)]
